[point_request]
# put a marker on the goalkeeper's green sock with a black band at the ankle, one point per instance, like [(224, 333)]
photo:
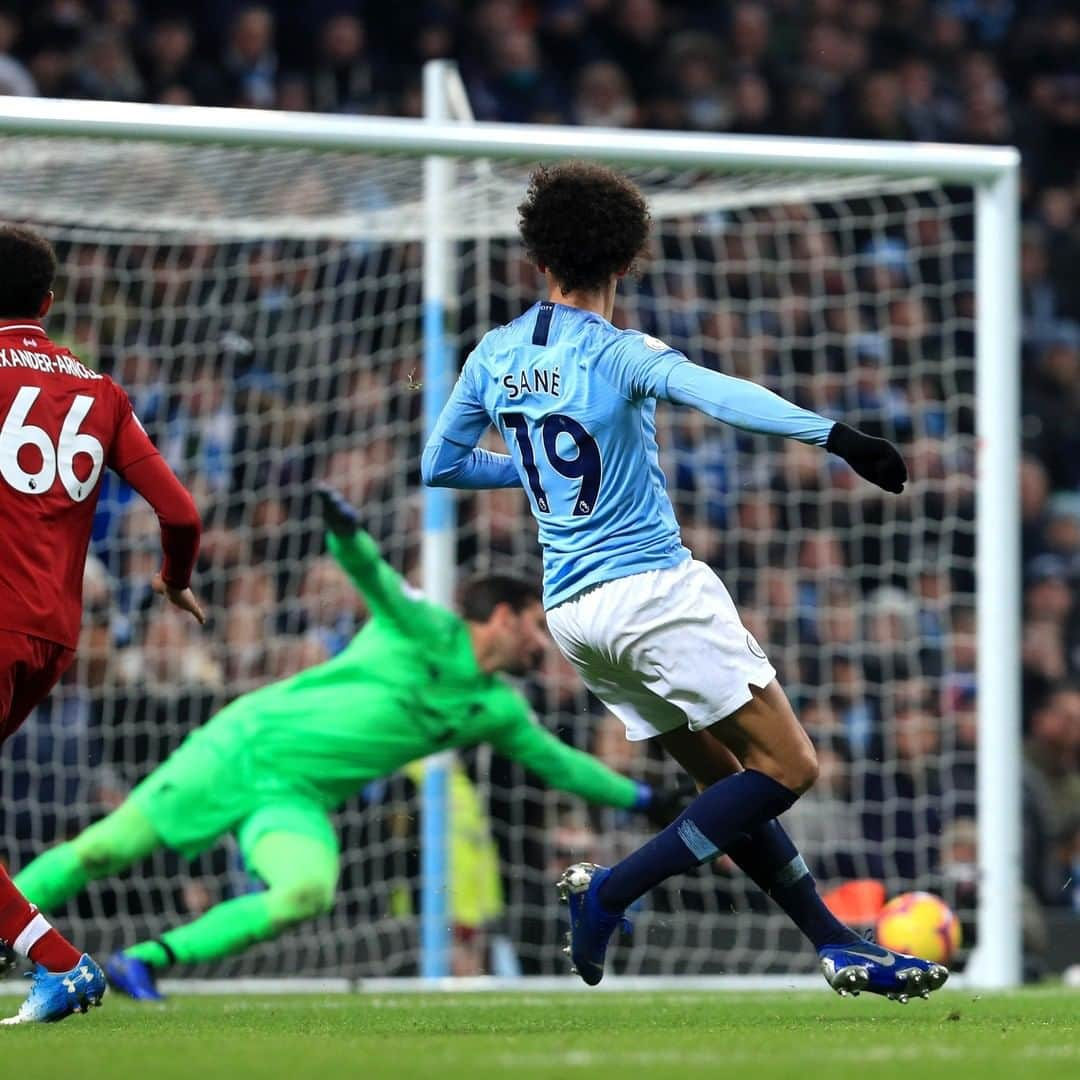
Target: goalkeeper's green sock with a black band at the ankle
[(224, 930)]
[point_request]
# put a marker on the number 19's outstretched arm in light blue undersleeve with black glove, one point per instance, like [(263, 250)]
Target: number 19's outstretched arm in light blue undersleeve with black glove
[(755, 409)]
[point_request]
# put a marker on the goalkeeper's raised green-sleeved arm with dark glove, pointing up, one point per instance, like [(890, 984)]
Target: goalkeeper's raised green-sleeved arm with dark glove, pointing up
[(383, 588)]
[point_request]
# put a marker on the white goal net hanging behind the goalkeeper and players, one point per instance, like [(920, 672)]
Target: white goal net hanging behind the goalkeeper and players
[(264, 310)]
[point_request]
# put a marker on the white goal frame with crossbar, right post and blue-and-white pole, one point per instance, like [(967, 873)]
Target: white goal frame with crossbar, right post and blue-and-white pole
[(817, 167)]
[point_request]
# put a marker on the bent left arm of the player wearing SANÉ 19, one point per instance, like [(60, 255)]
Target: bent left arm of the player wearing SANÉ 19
[(452, 460)]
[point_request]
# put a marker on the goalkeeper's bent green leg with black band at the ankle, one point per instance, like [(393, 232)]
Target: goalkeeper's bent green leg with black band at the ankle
[(299, 863)]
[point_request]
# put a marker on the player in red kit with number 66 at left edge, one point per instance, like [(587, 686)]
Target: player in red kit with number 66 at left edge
[(61, 425)]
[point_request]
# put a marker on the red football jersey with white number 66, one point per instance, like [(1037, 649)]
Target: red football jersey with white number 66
[(61, 425)]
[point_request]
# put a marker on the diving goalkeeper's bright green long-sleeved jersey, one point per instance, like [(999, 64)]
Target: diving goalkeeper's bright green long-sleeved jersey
[(407, 686)]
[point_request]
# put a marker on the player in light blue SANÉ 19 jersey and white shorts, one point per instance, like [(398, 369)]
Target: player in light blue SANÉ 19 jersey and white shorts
[(653, 632)]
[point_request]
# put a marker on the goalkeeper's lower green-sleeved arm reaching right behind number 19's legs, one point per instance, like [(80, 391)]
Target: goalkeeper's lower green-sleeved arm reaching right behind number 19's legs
[(568, 769)]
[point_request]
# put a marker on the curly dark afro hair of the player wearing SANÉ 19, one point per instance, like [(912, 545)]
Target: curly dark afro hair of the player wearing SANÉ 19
[(584, 223)]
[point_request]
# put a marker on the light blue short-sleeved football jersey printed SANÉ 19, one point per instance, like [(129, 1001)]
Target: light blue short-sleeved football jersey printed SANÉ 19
[(575, 400)]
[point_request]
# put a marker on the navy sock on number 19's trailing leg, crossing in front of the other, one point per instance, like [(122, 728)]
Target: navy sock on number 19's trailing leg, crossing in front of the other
[(714, 820)]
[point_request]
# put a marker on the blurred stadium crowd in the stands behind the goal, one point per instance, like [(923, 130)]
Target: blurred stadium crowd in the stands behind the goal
[(873, 634)]
